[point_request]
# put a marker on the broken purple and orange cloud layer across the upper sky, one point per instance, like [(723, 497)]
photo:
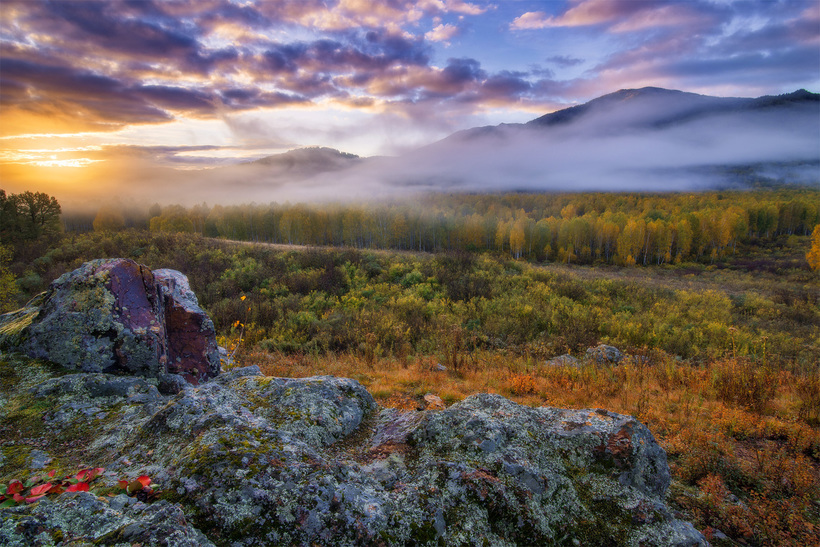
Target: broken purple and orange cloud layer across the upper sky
[(96, 65)]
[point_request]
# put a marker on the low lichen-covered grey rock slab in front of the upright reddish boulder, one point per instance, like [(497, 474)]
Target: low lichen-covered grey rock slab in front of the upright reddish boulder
[(246, 459)]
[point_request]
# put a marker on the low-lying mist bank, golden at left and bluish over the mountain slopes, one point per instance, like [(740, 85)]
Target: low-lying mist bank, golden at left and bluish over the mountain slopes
[(599, 151)]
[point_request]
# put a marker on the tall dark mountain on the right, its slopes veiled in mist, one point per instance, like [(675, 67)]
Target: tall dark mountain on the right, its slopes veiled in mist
[(648, 139)]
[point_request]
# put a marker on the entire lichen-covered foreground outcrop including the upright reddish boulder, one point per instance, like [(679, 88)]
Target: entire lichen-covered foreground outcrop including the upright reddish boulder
[(246, 459)]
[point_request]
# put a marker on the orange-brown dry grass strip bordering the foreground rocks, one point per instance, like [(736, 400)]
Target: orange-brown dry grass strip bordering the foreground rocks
[(746, 458)]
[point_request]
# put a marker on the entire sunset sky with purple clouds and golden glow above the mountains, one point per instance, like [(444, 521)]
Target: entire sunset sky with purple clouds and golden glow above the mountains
[(89, 88)]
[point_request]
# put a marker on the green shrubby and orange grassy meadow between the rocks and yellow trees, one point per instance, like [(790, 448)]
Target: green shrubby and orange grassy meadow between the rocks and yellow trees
[(722, 348)]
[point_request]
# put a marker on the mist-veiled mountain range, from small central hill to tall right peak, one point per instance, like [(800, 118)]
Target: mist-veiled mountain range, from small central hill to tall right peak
[(633, 140)]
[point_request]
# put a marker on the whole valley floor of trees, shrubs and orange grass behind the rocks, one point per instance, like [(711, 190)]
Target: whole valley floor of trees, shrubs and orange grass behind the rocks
[(714, 297)]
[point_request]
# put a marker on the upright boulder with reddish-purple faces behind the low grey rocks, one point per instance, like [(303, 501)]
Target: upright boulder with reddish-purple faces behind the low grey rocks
[(117, 316)]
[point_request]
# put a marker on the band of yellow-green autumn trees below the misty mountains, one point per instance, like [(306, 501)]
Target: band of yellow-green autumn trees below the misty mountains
[(571, 228)]
